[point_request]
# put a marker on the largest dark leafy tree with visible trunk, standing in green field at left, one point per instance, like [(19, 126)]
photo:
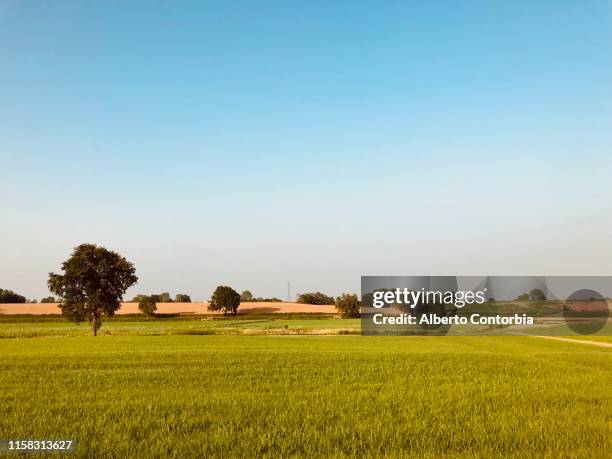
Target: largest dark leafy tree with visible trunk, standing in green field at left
[(93, 284)]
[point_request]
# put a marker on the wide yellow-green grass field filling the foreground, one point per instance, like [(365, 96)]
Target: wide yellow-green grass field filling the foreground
[(242, 396)]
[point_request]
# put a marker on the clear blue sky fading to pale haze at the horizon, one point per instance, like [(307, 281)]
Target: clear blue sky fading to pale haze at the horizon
[(253, 144)]
